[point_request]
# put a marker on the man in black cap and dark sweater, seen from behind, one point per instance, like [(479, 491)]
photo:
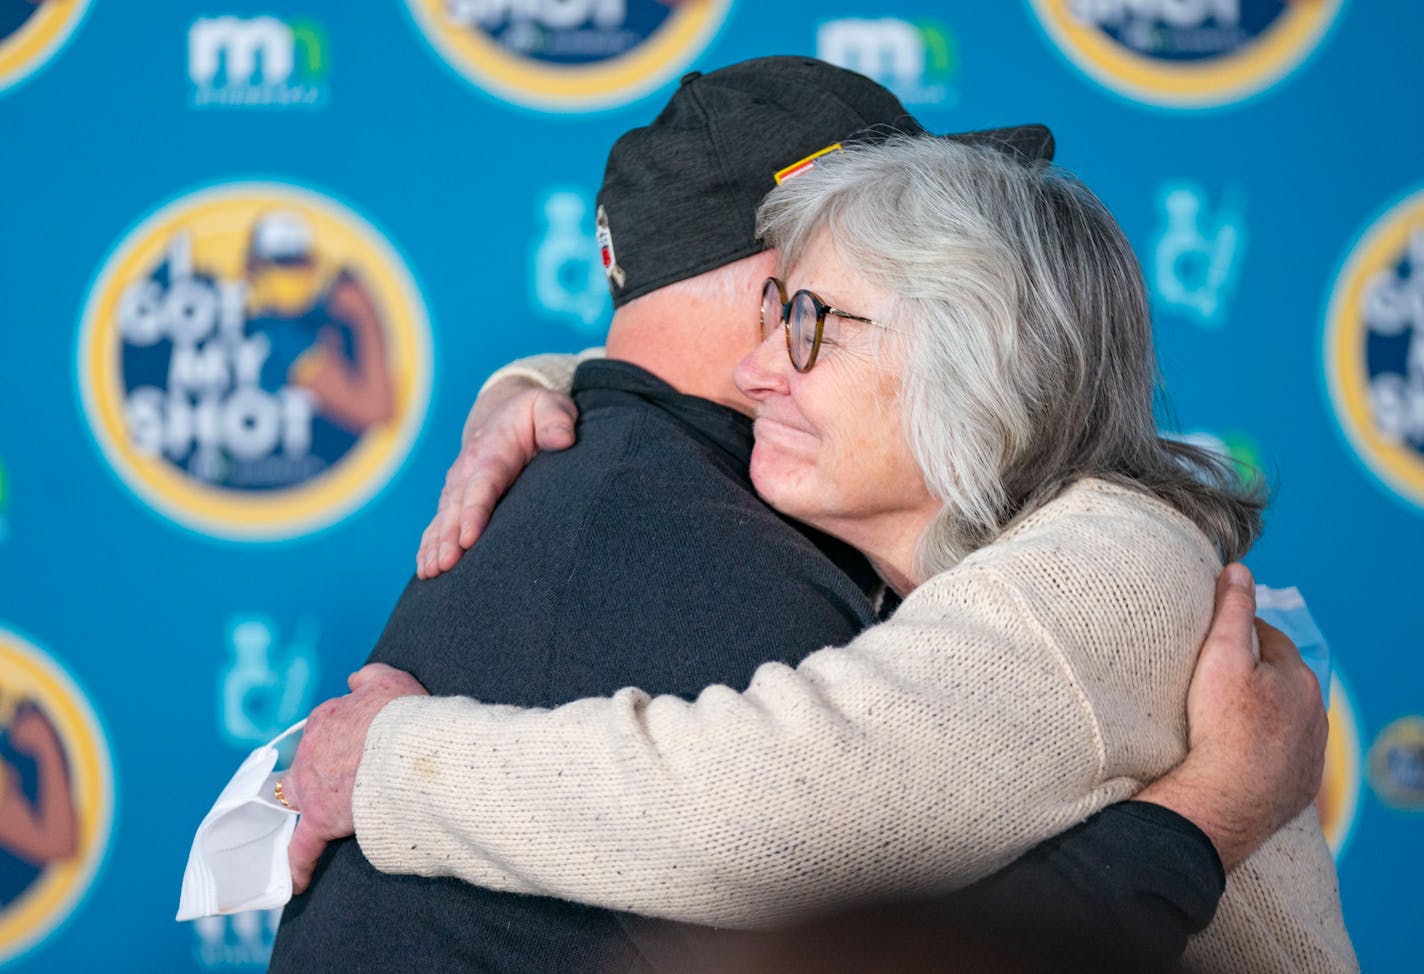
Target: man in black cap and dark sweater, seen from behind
[(642, 557)]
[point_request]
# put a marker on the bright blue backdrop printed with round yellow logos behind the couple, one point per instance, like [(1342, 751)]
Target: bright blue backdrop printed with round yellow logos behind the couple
[(256, 258)]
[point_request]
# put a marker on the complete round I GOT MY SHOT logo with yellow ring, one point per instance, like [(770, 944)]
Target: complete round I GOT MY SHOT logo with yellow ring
[(254, 361)]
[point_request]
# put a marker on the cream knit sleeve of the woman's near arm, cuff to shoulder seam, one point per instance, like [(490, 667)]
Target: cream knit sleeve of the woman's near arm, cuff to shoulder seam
[(928, 754)]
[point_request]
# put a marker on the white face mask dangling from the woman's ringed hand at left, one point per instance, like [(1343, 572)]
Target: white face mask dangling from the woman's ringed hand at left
[(239, 859)]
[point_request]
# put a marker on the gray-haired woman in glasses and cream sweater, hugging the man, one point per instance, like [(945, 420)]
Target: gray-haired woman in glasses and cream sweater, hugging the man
[(956, 377)]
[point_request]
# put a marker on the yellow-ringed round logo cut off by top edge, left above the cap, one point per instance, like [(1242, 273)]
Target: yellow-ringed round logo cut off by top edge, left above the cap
[(569, 55)]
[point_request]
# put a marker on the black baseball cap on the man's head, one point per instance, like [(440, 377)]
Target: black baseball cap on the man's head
[(680, 196)]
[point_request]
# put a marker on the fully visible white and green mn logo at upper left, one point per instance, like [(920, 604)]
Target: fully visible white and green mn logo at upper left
[(256, 62)]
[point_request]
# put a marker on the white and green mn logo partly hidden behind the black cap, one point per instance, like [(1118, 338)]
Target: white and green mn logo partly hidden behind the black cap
[(919, 61)]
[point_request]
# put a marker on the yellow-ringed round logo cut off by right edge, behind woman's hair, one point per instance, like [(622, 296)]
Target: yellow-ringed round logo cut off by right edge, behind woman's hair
[(1375, 350)]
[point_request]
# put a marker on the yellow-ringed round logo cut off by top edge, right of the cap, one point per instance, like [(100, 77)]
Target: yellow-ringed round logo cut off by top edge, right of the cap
[(1187, 53)]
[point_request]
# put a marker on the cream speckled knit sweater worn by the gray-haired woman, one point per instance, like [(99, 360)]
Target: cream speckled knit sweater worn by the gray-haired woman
[(1006, 701)]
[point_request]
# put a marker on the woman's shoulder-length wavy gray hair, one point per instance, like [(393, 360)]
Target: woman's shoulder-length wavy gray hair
[(1027, 341)]
